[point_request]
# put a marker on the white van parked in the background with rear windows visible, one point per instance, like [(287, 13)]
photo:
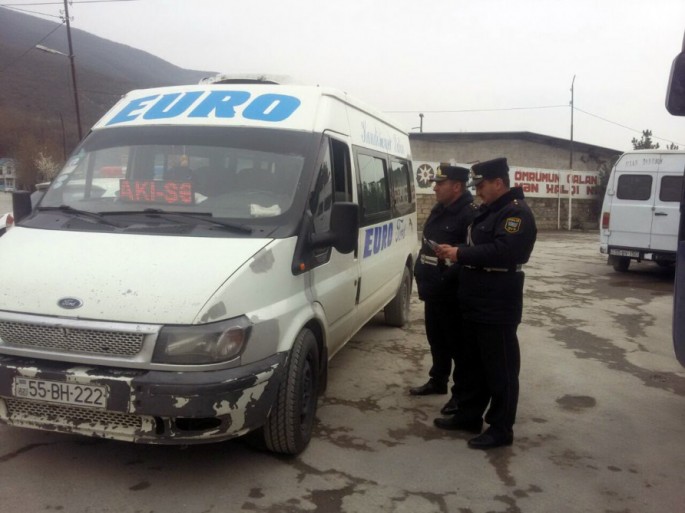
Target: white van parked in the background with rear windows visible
[(640, 213)]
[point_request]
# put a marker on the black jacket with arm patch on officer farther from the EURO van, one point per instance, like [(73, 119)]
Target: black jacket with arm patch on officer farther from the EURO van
[(501, 239)]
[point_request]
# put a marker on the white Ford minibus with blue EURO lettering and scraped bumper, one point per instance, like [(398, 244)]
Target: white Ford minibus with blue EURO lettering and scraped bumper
[(202, 255)]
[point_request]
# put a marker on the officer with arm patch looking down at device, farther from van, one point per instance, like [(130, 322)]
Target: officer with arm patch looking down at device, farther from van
[(500, 240)]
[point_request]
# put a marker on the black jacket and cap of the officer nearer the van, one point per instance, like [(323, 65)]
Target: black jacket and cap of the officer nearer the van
[(436, 279)]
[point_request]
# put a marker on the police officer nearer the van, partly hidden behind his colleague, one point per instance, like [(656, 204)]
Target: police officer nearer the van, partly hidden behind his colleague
[(436, 278)]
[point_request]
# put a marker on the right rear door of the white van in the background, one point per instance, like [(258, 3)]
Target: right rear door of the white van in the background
[(667, 202)]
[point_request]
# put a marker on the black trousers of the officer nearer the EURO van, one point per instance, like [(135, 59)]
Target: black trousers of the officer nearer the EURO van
[(442, 327)]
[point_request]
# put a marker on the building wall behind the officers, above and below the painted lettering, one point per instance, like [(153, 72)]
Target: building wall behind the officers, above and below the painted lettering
[(520, 149)]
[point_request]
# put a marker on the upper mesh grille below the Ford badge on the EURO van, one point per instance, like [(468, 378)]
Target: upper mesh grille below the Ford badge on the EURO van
[(67, 339)]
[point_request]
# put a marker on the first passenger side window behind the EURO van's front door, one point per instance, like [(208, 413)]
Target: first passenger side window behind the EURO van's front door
[(375, 195)]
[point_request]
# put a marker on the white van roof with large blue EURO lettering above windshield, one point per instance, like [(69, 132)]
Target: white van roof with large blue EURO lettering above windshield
[(263, 104)]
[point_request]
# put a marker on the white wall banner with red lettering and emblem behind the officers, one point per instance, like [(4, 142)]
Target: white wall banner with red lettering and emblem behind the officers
[(536, 183)]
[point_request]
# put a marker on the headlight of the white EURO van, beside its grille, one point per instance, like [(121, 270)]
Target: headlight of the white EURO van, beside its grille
[(202, 343)]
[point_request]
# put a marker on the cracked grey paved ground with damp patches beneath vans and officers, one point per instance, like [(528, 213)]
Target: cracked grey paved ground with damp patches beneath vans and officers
[(601, 425)]
